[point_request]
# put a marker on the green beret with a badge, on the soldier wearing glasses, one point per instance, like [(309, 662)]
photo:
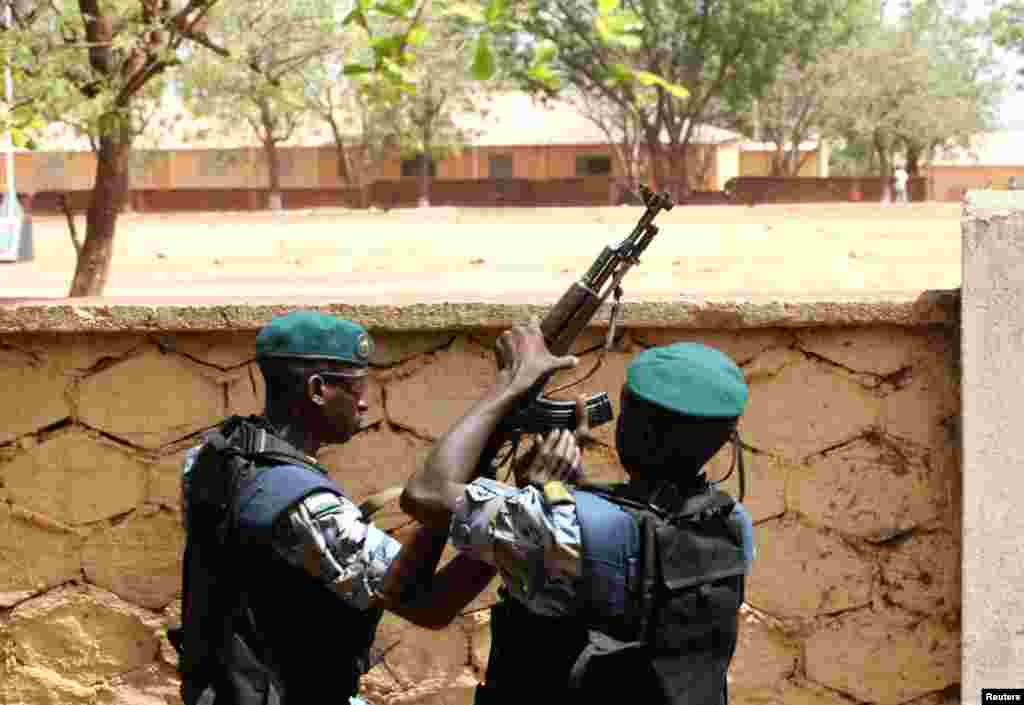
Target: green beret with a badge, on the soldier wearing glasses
[(316, 336)]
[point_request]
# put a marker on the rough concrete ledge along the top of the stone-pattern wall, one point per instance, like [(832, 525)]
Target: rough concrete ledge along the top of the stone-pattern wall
[(181, 315)]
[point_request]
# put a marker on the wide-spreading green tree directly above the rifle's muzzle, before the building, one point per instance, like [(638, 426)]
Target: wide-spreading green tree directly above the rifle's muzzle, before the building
[(675, 63)]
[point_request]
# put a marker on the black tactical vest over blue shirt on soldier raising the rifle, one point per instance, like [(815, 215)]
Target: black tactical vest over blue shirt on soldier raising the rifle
[(660, 596)]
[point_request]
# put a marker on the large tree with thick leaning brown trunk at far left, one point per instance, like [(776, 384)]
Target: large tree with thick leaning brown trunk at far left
[(96, 64)]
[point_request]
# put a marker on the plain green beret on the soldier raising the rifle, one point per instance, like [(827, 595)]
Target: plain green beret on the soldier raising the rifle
[(689, 379)]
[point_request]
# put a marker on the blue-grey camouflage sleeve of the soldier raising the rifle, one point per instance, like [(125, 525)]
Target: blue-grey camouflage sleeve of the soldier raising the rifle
[(535, 546)]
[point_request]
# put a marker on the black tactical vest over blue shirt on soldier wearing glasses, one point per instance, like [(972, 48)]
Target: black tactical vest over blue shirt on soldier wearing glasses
[(255, 630)]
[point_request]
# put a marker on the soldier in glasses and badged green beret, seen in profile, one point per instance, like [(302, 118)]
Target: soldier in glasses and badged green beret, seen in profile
[(295, 573)]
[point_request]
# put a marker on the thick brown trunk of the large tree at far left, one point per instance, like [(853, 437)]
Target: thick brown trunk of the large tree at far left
[(109, 195)]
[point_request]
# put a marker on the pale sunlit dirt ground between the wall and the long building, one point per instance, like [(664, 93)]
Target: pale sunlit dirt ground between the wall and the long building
[(815, 251)]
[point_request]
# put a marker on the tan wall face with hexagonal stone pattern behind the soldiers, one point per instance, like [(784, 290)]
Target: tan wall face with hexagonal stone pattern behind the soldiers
[(855, 486)]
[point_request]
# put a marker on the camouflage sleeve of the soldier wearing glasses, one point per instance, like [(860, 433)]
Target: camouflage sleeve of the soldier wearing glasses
[(326, 536)]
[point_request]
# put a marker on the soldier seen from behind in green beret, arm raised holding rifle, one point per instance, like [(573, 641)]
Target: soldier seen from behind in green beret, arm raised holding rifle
[(632, 589)]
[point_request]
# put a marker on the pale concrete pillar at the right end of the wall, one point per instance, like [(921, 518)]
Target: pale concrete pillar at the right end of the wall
[(993, 388)]
